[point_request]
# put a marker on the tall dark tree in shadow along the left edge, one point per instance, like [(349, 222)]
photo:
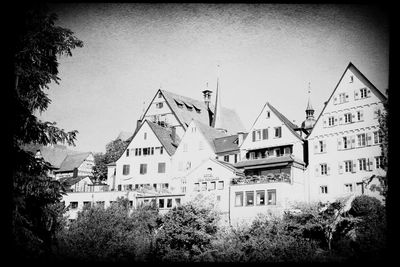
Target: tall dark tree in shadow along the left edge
[(35, 197)]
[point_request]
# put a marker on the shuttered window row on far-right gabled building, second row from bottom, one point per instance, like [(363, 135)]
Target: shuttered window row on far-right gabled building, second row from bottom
[(352, 166)]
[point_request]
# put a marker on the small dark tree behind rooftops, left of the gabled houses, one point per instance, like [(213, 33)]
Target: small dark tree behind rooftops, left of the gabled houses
[(114, 150)]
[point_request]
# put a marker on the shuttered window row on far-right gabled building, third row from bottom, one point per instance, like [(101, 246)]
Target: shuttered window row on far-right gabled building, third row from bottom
[(351, 141)]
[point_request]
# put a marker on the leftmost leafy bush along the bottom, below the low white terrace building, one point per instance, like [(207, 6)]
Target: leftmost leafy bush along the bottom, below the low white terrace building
[(111, 234)]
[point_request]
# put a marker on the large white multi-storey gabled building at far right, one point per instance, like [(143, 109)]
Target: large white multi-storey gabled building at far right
[(344, 145)]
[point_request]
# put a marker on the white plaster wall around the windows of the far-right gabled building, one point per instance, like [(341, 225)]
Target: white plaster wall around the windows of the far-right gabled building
[(334, 180)]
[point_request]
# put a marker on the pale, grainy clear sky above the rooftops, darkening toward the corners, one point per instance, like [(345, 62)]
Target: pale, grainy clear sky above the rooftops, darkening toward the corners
[(266, 53)]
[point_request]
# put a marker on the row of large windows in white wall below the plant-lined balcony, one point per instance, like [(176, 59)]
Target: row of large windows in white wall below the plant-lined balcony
[(247, 198)]
